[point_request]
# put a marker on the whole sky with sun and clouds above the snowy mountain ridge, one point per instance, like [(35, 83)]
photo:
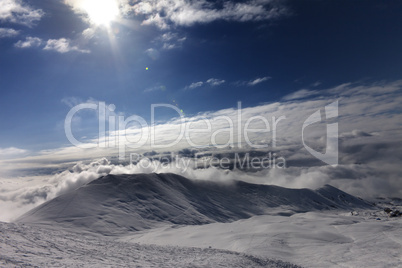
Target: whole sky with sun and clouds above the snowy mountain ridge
[(277, 58)]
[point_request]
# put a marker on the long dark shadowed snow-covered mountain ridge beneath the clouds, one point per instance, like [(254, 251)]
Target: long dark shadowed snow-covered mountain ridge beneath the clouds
[(116, 204)]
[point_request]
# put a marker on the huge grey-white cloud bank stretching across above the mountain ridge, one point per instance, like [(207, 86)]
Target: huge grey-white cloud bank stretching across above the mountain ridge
[(370, 151)]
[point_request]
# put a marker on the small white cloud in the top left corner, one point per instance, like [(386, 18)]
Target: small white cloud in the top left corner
[(15, 11)]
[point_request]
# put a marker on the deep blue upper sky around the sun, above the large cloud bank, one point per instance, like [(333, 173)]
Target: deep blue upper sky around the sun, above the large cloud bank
[(53, 52)]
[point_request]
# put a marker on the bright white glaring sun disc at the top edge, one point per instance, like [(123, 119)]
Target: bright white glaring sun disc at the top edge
[(101, 12)]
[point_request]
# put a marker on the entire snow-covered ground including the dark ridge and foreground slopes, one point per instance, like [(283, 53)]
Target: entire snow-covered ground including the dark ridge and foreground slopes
[(165, 220)]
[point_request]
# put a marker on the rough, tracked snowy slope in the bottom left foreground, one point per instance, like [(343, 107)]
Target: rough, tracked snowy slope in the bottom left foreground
[(30, 246)]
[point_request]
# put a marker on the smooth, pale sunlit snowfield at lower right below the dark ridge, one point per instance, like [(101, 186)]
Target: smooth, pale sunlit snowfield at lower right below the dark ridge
[(313, 239)]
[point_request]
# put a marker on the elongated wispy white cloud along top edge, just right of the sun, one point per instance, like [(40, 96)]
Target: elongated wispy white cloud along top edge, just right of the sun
[(163, 14)]
